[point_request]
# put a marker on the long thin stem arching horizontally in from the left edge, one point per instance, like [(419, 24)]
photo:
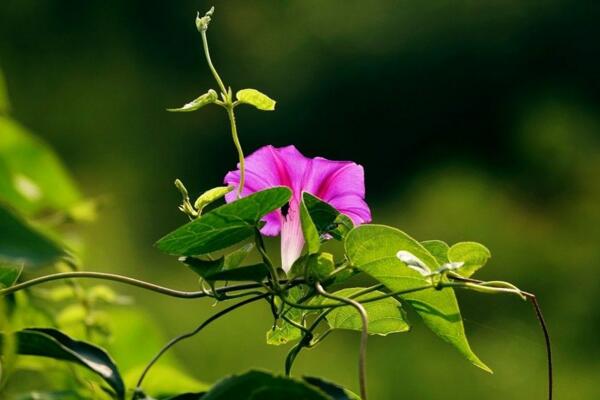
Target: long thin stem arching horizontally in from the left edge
[(126, 280)]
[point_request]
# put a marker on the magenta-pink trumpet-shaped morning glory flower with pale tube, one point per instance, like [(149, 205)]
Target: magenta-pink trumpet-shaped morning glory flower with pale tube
[(339, 183)]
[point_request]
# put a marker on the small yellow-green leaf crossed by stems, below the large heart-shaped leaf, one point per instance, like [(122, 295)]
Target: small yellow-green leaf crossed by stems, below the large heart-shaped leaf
[(384, 316)]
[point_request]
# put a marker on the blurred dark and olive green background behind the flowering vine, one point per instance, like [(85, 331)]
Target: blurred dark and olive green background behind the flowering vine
[(474, 121)]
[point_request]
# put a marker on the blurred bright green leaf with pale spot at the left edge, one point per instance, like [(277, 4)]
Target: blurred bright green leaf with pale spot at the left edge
[(32, 178)]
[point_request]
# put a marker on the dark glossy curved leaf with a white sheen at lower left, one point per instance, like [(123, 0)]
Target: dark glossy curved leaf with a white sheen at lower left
[(51, 343)]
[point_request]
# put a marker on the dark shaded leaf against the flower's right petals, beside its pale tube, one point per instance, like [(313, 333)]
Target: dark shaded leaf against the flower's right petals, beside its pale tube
[(326, 218)]
